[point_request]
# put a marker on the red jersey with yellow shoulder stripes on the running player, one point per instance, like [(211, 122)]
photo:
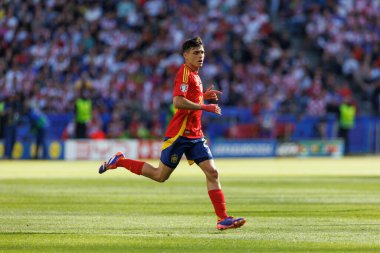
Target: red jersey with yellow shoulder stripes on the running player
[(187, 123)]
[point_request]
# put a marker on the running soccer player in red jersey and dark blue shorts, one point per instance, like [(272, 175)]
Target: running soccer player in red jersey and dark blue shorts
[(184, 134)]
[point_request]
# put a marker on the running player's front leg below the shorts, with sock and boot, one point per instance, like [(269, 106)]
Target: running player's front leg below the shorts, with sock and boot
[(217, 197)]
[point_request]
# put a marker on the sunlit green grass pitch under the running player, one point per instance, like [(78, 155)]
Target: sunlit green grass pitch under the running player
[(291, 205)]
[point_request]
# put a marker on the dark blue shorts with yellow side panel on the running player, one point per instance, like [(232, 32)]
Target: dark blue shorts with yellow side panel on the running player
[(196, 150)]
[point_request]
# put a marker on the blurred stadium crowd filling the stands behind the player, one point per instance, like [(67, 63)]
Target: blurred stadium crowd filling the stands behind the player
[(299, 57)]
